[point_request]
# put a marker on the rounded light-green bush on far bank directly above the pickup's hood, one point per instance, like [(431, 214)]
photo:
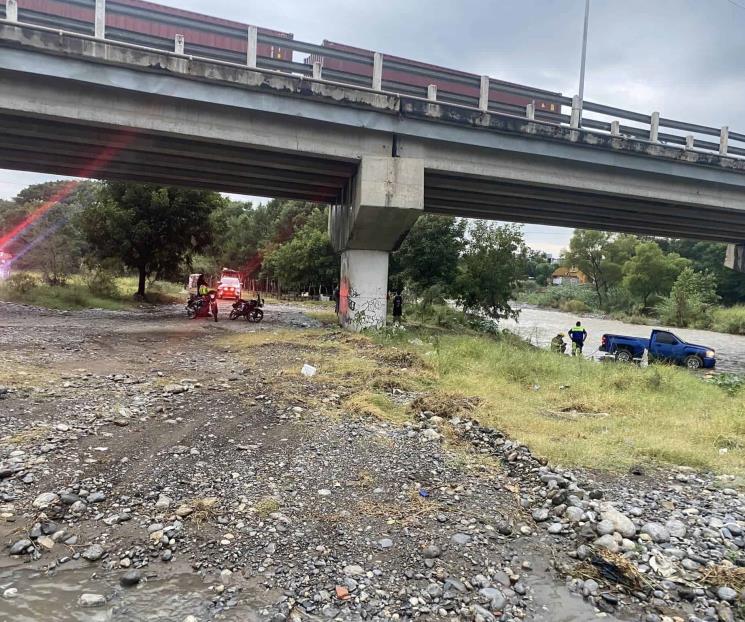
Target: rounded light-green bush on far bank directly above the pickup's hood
[(691, 296)]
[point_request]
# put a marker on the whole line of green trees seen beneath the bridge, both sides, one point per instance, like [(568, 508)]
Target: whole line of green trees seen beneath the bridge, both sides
[(104, 228)]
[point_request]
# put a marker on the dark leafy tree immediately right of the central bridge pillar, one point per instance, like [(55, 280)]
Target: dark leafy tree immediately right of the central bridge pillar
[(428, 257)]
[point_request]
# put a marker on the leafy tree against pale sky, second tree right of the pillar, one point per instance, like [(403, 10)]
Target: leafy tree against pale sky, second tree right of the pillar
[(489, 269)]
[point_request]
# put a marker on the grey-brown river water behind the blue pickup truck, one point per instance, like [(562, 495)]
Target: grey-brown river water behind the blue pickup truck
[(539, 326)]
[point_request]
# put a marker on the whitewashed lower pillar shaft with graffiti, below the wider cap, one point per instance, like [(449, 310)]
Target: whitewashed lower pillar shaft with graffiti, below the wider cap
[(363, 289)]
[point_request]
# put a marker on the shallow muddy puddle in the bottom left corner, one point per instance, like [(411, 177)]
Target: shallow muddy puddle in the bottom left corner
[(53, 597)]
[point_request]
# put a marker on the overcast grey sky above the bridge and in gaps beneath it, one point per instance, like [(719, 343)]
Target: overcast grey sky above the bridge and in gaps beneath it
[(685, 58)]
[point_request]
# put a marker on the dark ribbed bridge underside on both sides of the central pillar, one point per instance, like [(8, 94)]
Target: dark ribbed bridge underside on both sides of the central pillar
[(56, 146)]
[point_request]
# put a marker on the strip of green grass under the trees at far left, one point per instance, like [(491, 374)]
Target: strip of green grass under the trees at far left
[(75, 295)]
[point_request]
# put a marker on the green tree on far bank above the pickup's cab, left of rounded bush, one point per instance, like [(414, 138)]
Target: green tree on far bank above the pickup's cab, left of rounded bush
[(651, 272)]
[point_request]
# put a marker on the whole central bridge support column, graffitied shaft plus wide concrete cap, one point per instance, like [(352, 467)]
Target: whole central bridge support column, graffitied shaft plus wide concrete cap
[(382, 202)]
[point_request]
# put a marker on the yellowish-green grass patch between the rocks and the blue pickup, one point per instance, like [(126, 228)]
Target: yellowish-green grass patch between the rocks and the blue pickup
[(581, 413)]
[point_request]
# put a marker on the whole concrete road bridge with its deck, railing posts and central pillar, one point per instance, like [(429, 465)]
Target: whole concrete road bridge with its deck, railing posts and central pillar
[(79, 105)]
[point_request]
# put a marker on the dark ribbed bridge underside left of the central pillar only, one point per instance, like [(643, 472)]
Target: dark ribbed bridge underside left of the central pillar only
[(59, 147)]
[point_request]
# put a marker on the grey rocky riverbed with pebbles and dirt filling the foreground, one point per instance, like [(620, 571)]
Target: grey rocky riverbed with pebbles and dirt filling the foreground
[(150, 469)]
